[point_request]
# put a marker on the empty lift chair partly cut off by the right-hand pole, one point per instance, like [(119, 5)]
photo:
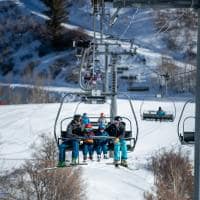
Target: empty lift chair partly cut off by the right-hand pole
[(186, 136)]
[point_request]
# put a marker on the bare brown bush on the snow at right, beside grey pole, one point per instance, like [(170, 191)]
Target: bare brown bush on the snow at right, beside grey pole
[(173, 176)]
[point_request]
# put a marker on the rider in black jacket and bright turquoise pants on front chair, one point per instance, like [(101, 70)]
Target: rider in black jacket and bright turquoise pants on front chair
[(117, 129)]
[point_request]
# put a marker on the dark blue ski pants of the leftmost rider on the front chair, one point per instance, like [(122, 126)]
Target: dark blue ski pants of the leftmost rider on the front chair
[(75, 150)]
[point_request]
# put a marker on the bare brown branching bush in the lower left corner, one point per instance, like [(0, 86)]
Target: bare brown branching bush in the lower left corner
[(37, 180)]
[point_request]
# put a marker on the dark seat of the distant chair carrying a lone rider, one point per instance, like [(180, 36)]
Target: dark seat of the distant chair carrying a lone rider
[(152, 115)]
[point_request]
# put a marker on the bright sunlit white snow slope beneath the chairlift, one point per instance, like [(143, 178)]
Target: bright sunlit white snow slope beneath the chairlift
[(21, 126)]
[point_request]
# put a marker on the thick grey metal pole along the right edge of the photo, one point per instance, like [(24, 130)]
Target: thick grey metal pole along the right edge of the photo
[(197, 121)]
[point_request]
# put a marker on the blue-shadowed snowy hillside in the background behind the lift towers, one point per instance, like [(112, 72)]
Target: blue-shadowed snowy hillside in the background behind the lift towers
[(26, 57)]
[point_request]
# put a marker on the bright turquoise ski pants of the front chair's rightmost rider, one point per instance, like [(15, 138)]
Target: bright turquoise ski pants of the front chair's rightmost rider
[(120, 145)]
